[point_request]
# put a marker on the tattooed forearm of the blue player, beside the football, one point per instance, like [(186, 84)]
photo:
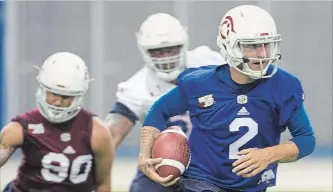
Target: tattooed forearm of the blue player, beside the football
[(148, 135)]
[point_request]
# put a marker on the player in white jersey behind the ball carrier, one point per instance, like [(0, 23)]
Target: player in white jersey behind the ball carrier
[(163, 43)]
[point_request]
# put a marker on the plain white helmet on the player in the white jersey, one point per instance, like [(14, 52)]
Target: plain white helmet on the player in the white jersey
[(162, 30)]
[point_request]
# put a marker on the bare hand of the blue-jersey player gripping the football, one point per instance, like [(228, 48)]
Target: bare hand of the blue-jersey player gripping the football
[(147, 166)]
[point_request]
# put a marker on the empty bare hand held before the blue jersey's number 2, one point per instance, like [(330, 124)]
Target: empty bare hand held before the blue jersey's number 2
[(251, 162)]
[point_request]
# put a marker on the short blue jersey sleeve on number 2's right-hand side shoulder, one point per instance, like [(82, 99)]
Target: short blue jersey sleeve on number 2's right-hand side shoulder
[(292, 100)]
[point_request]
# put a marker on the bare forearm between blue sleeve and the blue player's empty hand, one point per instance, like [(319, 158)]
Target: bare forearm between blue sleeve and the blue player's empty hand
[(284, 153)]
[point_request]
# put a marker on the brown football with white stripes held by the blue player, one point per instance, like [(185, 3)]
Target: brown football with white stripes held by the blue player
[(171, 145)]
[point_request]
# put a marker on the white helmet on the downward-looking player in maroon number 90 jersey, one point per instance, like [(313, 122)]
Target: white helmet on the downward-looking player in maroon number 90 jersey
[(65, 74)]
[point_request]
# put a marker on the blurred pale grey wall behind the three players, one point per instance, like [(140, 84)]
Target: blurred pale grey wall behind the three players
[(103, 33)]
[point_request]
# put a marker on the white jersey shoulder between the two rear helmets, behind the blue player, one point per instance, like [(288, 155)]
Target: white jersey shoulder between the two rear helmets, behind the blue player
[(203, 55)]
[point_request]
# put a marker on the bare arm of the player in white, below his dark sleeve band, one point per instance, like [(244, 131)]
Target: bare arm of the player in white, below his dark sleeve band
[(119, 126)]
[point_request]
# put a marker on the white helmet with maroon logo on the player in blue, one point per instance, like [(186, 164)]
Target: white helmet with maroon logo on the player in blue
[(249, 25)]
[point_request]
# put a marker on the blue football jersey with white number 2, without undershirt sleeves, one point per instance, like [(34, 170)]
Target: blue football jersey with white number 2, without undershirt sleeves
[(228, 117)]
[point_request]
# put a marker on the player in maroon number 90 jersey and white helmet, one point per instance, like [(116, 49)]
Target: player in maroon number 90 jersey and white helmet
[(65, 147)]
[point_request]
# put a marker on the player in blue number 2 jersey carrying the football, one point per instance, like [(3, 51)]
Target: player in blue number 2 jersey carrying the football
[(238, 112)]
